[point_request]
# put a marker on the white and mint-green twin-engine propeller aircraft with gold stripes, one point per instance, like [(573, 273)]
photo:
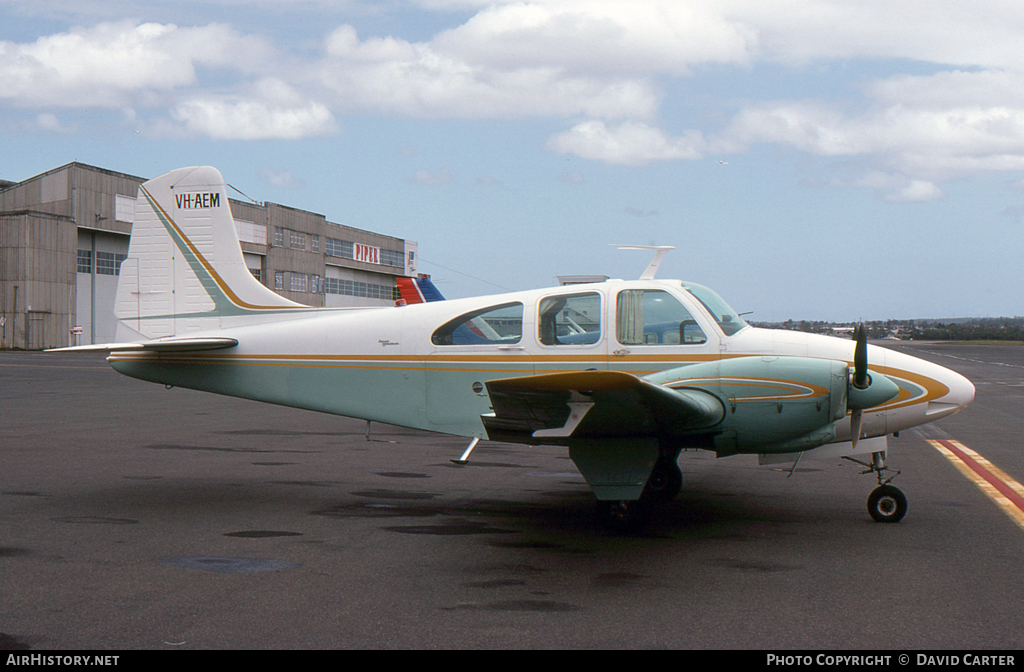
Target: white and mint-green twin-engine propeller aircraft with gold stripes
[(625, 373)]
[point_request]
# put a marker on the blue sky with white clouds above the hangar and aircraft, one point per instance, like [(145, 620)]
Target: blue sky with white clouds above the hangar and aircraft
[(808, 159)]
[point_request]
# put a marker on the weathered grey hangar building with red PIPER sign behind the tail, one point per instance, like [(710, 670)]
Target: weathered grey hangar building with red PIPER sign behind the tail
[(65, 233)]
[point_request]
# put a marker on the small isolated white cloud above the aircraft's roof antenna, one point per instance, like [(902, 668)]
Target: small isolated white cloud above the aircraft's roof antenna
[(630, 144)]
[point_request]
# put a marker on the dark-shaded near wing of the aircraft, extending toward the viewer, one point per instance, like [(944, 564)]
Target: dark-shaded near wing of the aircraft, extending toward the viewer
[(588, 405)]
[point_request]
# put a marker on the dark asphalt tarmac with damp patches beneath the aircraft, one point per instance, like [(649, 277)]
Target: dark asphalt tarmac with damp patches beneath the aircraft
[(138, 518)]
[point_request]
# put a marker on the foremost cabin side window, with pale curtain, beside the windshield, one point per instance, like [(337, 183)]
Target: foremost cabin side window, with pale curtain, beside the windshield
[(653, 317)]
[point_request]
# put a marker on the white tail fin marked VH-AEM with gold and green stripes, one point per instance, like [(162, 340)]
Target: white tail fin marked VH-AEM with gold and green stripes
[(185, 271)]
